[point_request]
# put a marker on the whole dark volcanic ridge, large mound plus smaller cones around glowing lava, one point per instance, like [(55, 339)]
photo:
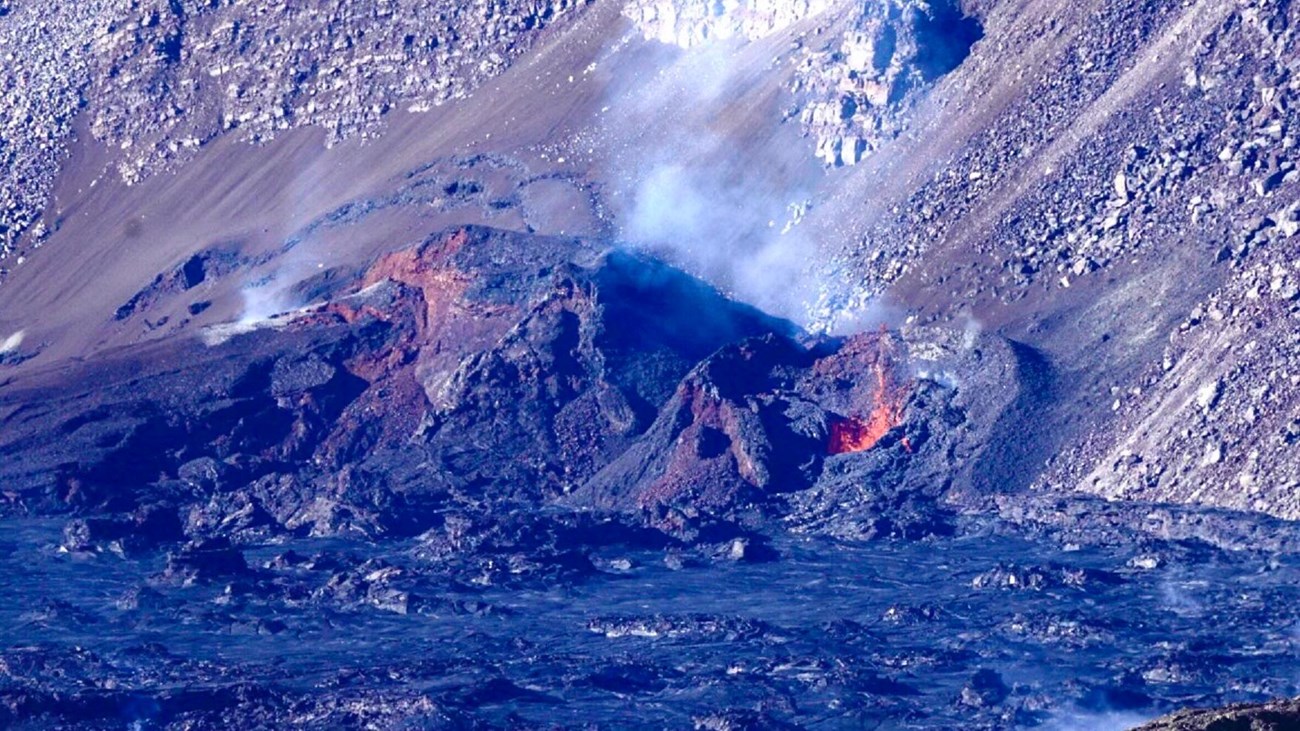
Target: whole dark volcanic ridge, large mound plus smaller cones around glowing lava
[(463, 367)]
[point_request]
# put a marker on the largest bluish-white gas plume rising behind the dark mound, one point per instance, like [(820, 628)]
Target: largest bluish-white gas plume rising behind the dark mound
[(705, 179)]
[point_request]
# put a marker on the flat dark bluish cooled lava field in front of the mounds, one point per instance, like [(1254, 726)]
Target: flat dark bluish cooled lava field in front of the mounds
[(981, 631)]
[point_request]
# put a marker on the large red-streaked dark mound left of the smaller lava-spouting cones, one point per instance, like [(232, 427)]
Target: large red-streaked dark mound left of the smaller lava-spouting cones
[(476, 362)]
